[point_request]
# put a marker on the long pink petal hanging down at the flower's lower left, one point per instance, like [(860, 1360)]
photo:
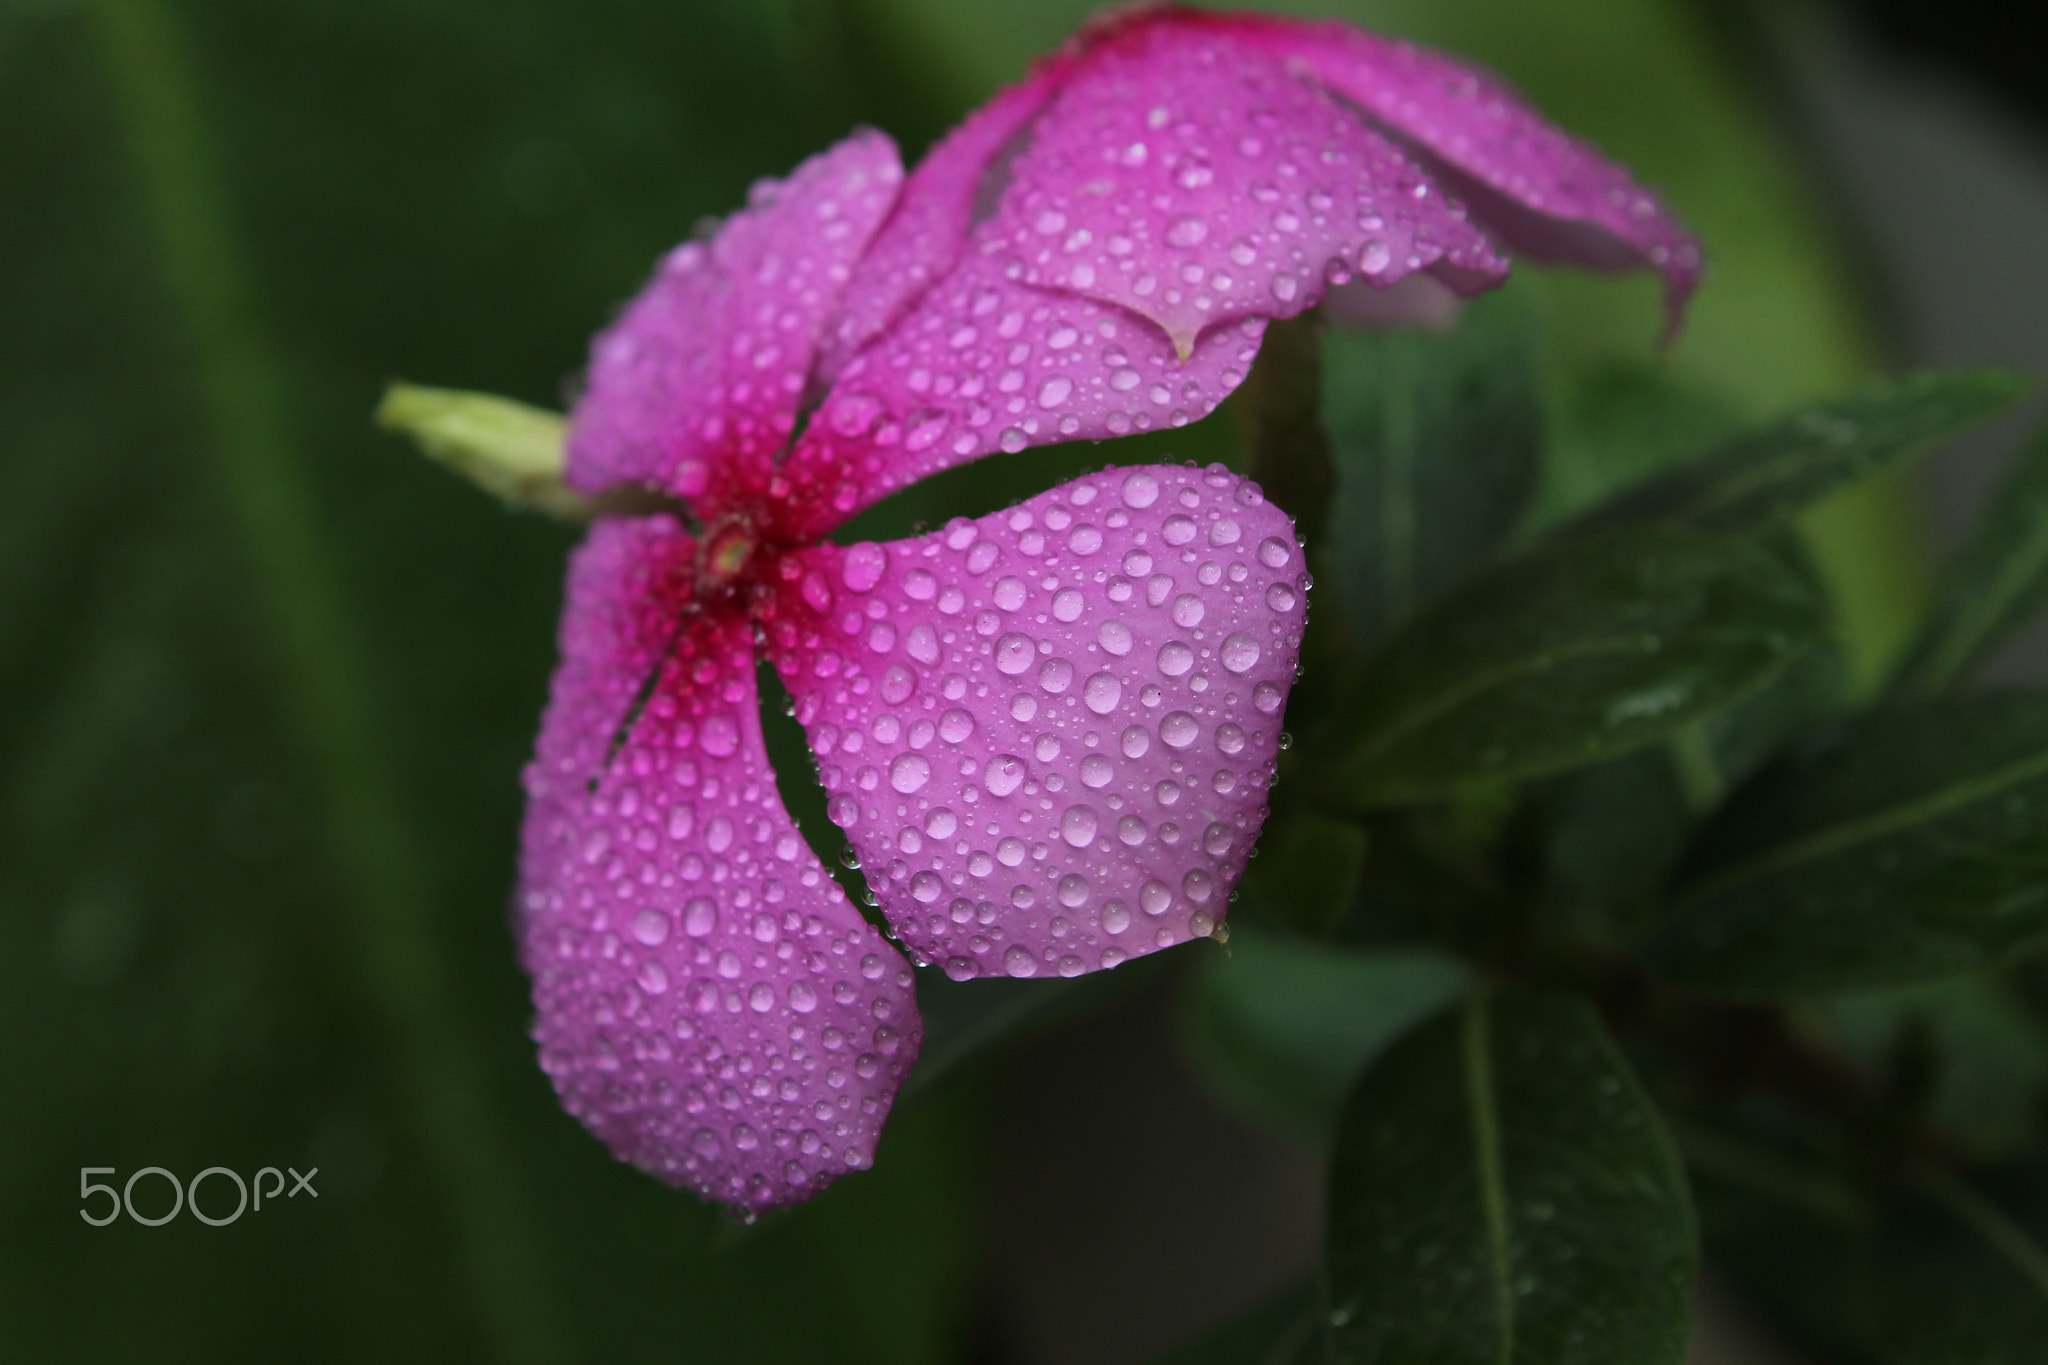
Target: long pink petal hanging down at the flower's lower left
[(708, 1002)]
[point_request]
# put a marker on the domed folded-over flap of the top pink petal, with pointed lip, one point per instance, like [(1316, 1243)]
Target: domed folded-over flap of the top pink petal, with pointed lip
[(1193, 179)]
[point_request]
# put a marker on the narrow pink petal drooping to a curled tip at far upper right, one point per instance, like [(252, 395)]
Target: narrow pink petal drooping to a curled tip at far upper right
[(1529, 181)]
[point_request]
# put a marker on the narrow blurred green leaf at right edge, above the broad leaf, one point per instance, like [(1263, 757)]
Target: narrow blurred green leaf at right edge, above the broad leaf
[(1996, 586)]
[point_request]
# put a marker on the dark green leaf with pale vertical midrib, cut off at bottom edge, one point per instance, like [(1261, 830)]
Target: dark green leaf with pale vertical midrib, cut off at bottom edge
[(1504, 1194)]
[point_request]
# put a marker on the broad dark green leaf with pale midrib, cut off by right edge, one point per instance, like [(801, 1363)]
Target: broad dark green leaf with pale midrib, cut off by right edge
[(1906, 848)]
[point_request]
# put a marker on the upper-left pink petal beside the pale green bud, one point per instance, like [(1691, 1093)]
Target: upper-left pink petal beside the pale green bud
[(695, 390)]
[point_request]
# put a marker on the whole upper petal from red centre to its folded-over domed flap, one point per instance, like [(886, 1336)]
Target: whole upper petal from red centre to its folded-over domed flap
[(1172, 197)]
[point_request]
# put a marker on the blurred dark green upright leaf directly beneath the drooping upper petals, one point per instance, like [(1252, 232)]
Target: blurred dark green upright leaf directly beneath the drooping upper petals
[(1437, 441)]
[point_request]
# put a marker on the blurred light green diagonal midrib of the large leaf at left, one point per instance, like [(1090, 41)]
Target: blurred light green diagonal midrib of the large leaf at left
[(325, 678)]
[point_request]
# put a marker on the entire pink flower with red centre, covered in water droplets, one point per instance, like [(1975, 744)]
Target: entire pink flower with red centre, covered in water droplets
[(1046, 732)]
